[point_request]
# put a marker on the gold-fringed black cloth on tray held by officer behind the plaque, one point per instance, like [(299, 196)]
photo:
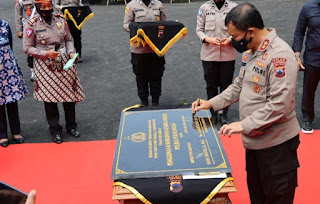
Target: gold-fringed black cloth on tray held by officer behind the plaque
[(160, 36)]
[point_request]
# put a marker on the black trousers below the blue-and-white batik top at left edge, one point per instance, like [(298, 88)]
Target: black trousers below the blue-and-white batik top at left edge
[(13, 116)]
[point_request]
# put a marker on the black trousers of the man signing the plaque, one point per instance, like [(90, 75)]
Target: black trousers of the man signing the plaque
[(272, 173)]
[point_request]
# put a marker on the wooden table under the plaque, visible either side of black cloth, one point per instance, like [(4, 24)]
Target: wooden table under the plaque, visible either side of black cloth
[(126, 197)]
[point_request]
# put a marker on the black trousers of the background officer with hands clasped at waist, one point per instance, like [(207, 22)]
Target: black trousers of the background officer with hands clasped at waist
[(218, 75)]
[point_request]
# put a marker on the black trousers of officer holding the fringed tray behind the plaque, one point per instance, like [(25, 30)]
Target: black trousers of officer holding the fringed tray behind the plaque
[(148, 69)]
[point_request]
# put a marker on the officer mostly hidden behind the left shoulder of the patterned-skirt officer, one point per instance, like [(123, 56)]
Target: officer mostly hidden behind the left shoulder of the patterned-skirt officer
[(23, 11)]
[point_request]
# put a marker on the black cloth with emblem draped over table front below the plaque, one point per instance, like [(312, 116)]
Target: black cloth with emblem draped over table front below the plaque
[(161, 190)]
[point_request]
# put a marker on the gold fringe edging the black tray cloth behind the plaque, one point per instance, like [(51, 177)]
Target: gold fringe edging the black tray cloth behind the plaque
[(182, 34)]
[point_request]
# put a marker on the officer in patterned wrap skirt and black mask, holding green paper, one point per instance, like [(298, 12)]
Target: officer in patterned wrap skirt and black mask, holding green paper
[(48, 39)]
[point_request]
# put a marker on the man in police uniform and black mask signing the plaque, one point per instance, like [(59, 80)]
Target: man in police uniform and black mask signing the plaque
[(265, 89)]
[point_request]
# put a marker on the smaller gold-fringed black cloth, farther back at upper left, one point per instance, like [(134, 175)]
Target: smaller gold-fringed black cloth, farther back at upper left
[(78, 14)]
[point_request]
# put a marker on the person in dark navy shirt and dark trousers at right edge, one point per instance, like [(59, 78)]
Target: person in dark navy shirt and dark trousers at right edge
[(309, 20)]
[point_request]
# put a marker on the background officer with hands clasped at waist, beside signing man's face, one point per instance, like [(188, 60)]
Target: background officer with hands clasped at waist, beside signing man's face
[(217, 54)]
